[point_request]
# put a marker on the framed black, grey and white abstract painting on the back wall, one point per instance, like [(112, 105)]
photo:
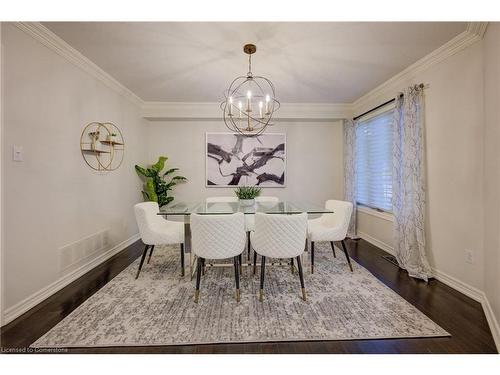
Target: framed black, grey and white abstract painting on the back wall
[(225, 152)]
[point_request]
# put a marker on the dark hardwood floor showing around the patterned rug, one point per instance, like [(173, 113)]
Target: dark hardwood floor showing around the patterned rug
[(461, 316)]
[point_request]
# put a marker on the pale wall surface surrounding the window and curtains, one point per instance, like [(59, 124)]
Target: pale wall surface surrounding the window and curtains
[(454, 148)]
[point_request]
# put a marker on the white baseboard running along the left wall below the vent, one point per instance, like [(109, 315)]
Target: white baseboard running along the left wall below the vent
[(28, 303)]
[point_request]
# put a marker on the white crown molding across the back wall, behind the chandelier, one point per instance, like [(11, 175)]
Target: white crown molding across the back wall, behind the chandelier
[(164, 111)]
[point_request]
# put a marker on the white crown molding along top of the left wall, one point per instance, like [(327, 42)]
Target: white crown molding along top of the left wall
[(58, 45)]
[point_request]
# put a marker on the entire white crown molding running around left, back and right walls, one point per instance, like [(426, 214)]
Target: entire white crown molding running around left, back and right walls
[(289, 111)]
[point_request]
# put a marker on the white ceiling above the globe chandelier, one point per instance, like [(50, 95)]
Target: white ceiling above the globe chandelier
[(333, 62)]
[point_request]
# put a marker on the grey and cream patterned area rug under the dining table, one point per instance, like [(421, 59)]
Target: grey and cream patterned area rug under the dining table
[(158, 308)]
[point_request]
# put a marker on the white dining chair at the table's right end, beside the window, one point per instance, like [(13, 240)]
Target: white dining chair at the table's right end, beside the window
[(331, 227)]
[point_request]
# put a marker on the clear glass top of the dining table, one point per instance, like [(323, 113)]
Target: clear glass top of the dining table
[(221, 208)]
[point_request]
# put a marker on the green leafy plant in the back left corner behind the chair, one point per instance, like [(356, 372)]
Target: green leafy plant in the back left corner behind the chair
[(156, 185)]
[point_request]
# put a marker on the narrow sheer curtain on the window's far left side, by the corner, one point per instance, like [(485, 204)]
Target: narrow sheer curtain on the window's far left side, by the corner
[(349, 172)]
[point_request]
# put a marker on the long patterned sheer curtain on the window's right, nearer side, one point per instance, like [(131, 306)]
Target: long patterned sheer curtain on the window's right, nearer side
[(408, 193)]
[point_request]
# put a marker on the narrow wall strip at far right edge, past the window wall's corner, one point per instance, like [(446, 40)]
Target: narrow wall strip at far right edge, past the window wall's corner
[(492, 167)]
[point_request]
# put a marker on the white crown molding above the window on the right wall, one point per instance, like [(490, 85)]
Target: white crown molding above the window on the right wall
[(474, 33)]
